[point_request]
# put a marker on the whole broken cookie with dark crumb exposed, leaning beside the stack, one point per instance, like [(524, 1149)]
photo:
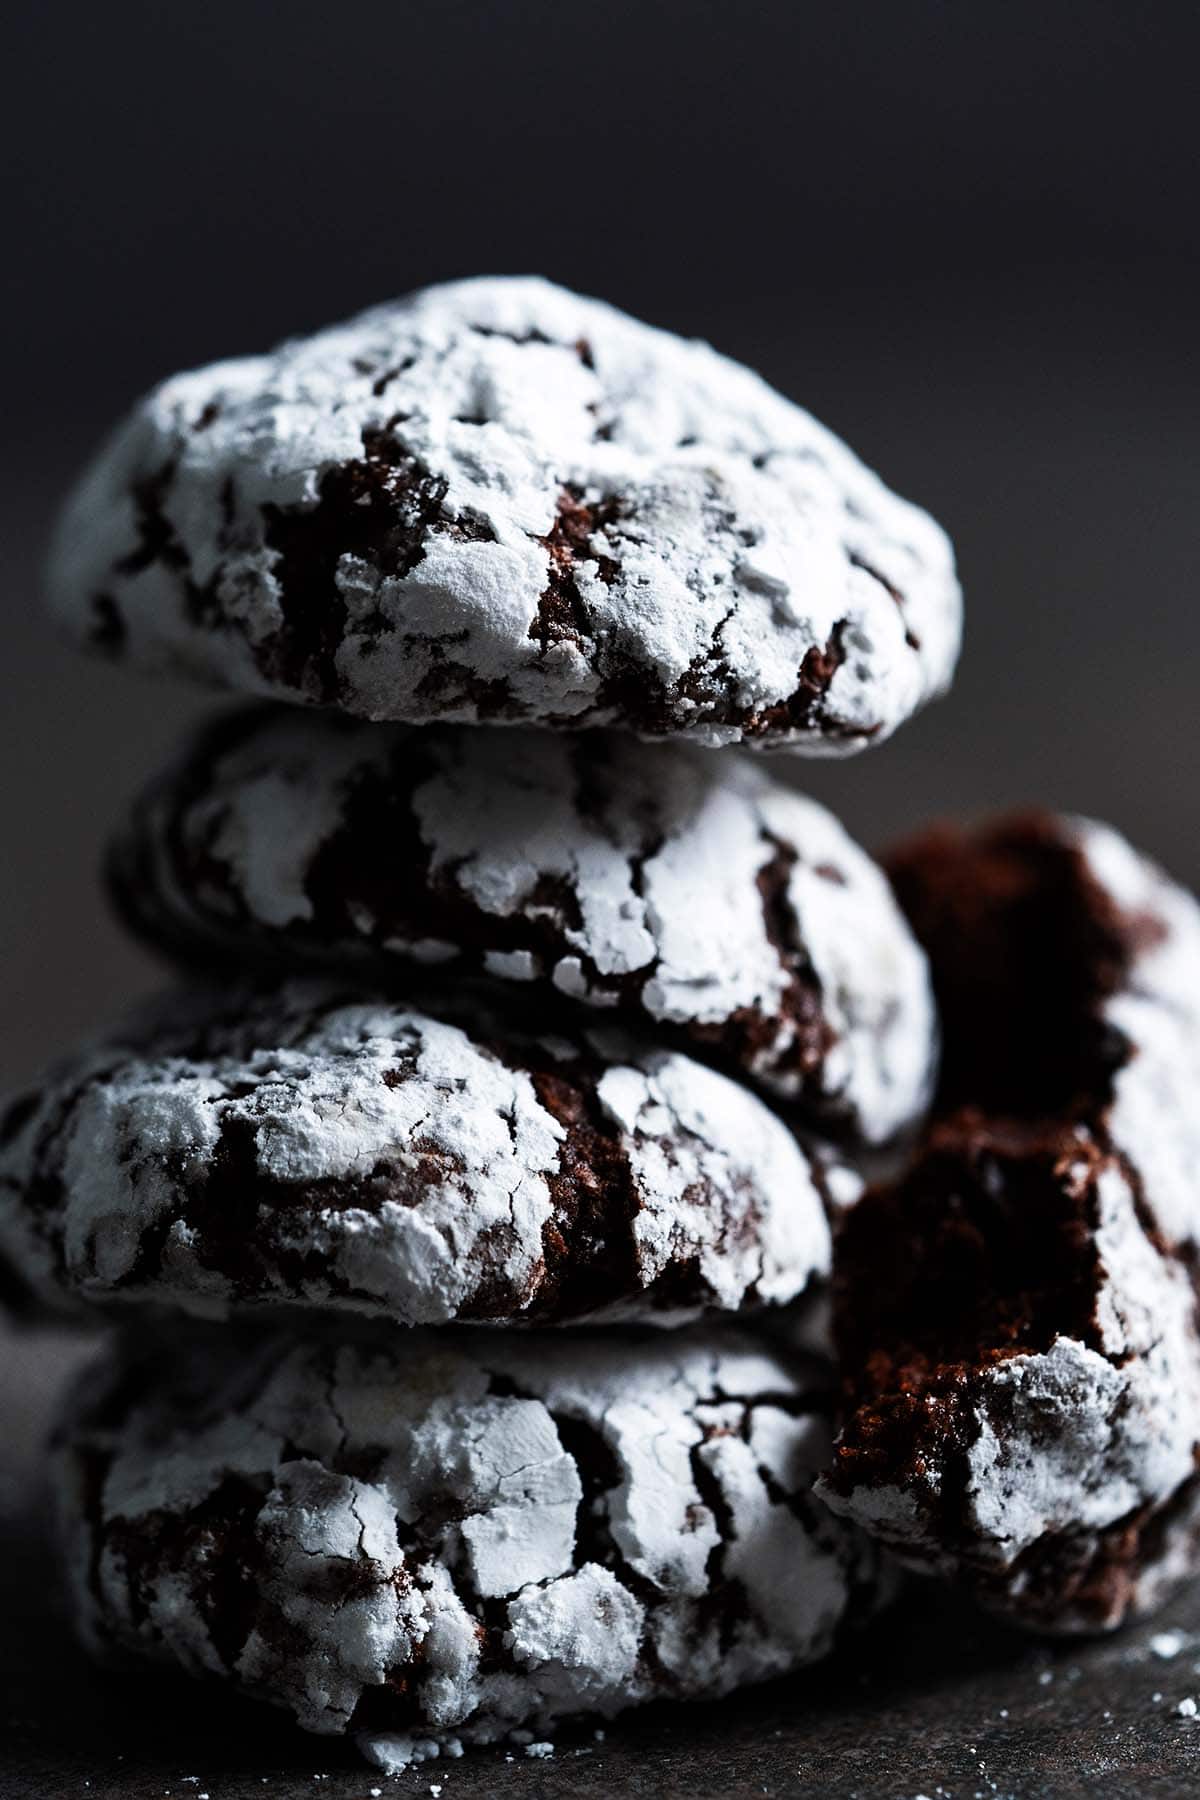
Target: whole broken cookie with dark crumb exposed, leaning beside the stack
[(1017, 1315)]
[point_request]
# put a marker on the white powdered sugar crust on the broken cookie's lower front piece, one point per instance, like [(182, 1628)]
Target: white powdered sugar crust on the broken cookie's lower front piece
[(1039, 1461)]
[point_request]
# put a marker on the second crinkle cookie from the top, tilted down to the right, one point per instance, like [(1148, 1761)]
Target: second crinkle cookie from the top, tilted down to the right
[(681, 890)]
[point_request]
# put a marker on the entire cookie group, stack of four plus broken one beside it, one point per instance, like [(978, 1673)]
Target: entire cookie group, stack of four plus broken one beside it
[(508, 1065)]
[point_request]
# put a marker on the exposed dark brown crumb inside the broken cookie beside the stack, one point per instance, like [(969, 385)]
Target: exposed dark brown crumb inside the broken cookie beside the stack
[(985, 1248)]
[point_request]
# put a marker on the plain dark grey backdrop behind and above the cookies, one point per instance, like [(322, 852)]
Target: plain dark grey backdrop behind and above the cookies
[(963, 235)]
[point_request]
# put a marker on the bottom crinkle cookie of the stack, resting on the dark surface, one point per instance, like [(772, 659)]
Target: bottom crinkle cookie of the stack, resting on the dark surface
[(440, 1540)]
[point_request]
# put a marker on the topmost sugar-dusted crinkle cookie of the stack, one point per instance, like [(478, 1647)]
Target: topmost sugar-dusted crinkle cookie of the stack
[(496, 503)]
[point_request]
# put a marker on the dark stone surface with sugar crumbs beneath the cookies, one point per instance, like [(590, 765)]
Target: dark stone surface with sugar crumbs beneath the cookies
[(936, 1702)]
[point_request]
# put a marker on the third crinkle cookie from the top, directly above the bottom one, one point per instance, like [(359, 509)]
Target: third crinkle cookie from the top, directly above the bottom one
[(346, 1153)]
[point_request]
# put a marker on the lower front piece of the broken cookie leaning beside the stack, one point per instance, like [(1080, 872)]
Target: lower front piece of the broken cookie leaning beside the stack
[(1037, 1459)]
